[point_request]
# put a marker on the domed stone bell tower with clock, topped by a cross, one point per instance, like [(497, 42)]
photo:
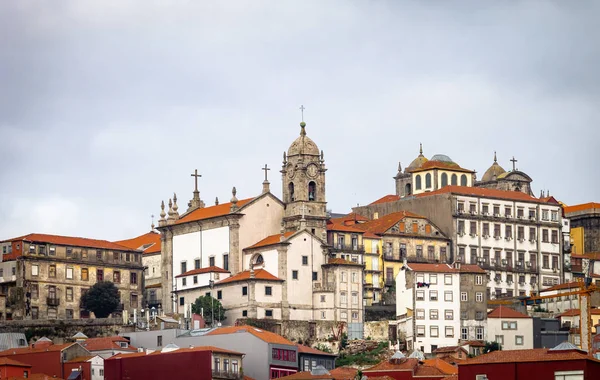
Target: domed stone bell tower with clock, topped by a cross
[(303, 175)]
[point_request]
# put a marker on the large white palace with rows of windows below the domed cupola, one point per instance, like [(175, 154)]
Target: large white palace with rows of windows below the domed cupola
[(514, 236)]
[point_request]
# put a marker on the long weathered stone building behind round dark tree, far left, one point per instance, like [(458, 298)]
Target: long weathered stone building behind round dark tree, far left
[(53, 272)]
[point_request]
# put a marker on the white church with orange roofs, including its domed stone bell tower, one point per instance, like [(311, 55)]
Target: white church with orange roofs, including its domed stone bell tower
[(261, 257)]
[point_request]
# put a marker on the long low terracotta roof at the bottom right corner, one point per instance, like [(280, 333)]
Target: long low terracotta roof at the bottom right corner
[(530, 355)]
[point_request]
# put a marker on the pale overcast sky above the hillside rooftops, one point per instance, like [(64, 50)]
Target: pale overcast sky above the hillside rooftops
[(106, 107)]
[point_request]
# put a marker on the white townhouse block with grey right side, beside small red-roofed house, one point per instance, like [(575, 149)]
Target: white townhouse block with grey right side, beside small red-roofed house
[(439, 305)]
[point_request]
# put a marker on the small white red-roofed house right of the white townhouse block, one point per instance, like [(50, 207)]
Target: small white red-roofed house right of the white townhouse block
[(512, 329)]
